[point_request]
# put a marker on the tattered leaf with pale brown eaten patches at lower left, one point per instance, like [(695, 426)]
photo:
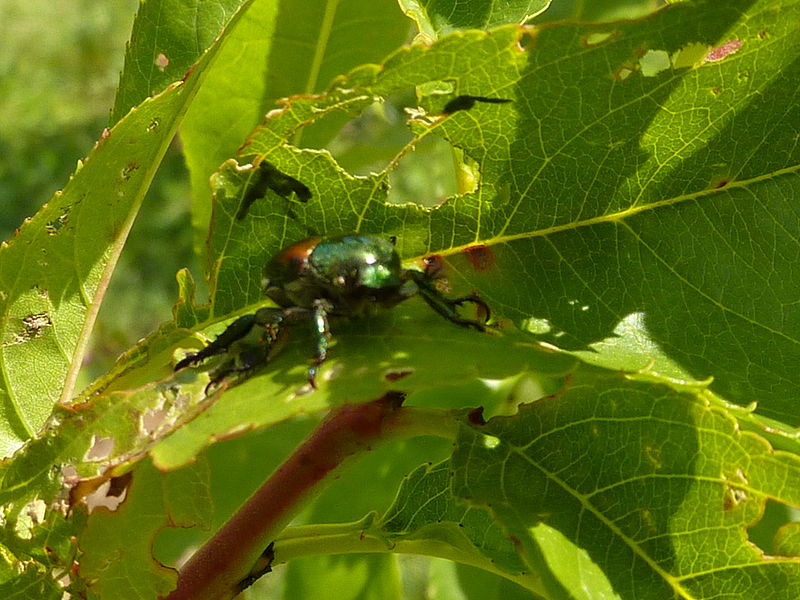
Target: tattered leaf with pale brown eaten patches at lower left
[(89, 444)]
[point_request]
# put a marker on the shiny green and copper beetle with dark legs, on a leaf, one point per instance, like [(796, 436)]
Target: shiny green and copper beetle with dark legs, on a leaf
[(319, 278)]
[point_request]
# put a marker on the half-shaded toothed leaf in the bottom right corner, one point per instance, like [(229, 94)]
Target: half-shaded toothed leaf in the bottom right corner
[(610, 486)]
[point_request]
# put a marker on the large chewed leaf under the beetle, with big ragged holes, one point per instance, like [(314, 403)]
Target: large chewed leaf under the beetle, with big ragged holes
[(604, 272)]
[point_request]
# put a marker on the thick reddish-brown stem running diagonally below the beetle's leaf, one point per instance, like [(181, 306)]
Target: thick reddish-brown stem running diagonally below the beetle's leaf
[(215, 571)]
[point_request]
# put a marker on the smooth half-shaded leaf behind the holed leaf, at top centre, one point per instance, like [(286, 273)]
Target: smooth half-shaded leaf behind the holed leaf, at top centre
[(280, 49)]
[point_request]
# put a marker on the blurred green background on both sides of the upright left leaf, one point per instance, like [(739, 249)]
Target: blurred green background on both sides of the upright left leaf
[(59, 69)]
